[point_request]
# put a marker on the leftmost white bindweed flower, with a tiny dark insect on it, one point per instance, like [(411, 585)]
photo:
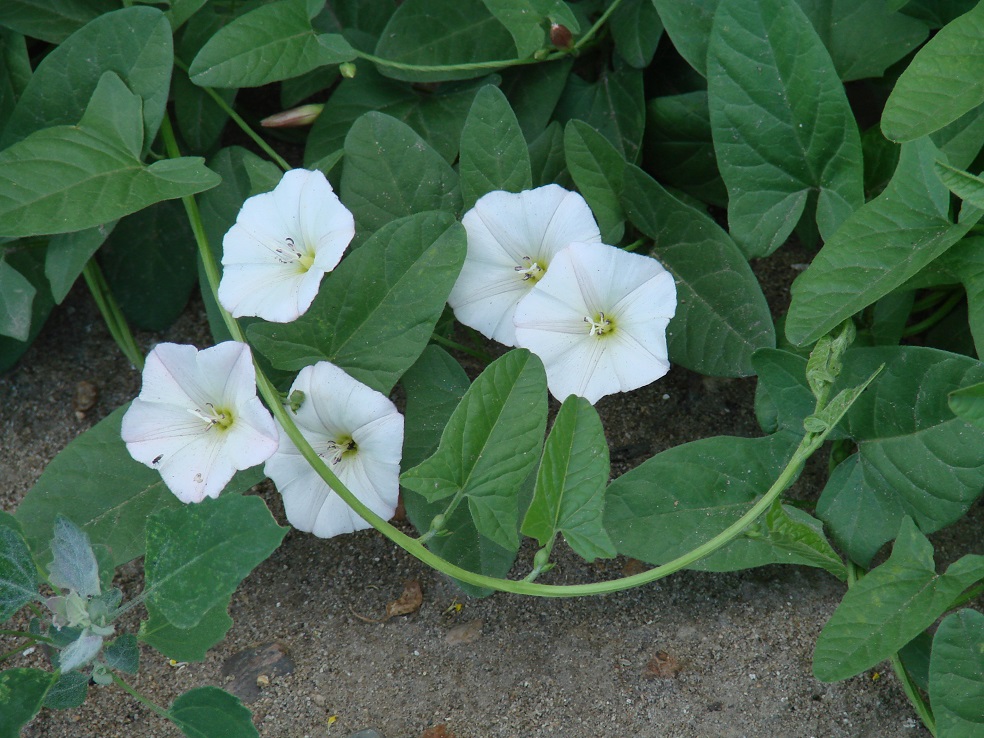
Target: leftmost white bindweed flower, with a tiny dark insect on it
[(197, 419)]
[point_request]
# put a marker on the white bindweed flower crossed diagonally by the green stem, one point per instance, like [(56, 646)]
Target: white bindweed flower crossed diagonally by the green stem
[(359, 434)]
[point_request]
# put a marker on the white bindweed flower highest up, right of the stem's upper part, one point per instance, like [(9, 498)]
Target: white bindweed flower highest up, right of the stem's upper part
[(281, 246)]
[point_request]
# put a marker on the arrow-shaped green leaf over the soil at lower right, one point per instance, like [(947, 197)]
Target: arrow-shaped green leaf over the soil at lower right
[(890, 606)]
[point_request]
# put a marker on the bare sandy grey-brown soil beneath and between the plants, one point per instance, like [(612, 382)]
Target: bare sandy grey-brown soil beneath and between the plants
[(696, 654)]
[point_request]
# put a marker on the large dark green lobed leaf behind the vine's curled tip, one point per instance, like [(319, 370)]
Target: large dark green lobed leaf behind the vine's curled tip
[(913, 458)]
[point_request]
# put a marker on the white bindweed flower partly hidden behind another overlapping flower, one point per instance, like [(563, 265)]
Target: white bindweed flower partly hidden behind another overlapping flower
[(512, 239)]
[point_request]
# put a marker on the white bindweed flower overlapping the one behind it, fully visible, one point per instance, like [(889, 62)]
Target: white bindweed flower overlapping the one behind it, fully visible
[(598, 321)]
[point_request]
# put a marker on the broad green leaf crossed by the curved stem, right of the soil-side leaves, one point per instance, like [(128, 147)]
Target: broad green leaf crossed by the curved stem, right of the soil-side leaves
[(683, 497)]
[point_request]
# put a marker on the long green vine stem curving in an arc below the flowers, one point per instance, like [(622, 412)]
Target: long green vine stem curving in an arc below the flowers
[(808, 445)]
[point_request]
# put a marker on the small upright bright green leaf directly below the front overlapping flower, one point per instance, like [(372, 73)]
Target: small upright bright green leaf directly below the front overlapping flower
[(569, 496)]
